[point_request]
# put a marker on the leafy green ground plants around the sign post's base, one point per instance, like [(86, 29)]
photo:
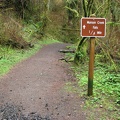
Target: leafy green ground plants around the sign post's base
[(106, 88)]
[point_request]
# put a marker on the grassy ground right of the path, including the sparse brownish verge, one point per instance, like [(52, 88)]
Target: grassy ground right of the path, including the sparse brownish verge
[(104, 104)]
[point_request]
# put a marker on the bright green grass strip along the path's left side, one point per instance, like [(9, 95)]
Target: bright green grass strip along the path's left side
[(10, 57)]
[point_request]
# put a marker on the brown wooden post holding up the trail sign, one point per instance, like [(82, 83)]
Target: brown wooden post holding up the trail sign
[(91, 65)]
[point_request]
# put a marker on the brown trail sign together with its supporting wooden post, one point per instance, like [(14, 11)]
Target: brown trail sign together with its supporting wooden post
[(92, 27)]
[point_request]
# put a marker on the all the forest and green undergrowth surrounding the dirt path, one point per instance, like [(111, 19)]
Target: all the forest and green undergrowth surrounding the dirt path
[(25, 24)]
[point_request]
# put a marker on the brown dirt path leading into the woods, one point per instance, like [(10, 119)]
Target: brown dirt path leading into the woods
[(37, 84)]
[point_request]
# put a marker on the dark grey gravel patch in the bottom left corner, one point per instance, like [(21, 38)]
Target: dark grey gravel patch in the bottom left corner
[(13, 112)]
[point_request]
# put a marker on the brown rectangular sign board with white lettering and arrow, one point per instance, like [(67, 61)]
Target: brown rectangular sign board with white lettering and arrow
[(93, 27)]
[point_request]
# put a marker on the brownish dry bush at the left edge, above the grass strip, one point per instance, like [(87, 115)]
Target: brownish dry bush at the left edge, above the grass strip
[(10, 34)]
